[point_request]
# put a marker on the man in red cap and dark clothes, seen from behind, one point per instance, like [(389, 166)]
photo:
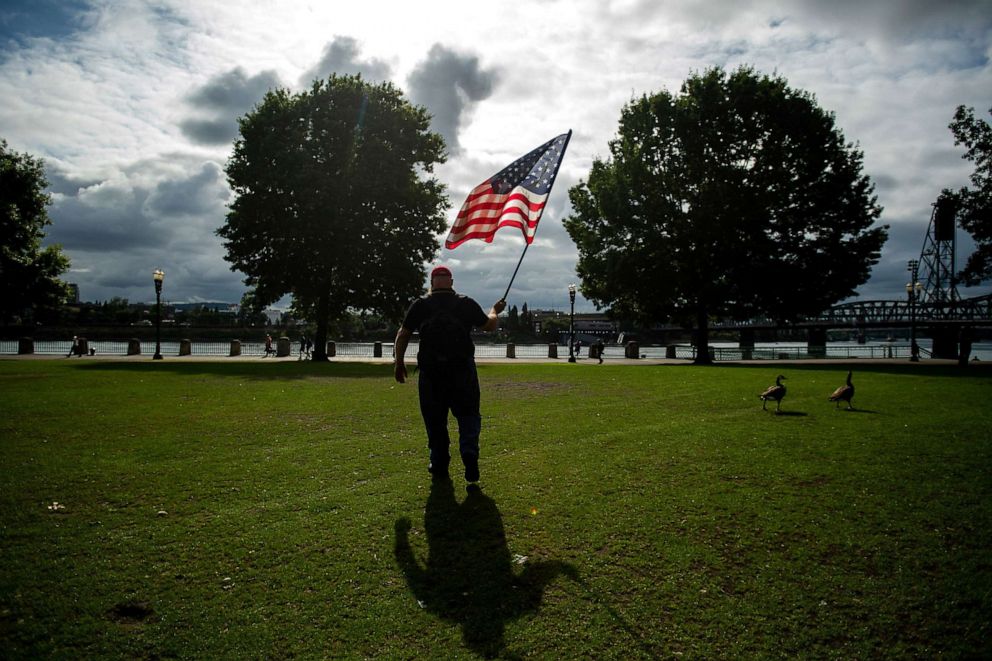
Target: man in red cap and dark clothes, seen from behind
[(446, 360)]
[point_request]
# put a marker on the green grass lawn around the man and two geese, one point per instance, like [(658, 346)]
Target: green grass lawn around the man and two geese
[(274, 510)]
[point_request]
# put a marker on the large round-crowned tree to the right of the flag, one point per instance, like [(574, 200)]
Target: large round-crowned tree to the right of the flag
[(735, 198)]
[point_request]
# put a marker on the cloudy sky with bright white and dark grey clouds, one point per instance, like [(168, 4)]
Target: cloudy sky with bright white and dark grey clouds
[(133, 107)]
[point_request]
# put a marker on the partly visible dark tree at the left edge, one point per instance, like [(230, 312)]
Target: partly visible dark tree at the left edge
[(29, 273)]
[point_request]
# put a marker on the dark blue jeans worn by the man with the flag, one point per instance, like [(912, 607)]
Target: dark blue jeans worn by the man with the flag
[(455, 390)]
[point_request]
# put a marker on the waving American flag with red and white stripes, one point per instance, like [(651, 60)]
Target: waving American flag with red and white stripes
[(513, 197)]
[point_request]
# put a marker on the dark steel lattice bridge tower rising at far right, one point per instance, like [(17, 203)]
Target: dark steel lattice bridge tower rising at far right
[(937, 259)]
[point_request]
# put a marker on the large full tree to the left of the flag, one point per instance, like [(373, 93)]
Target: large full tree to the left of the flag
[(335, 202)]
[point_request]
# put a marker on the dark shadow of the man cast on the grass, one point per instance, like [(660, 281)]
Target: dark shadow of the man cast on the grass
[(468, 577)]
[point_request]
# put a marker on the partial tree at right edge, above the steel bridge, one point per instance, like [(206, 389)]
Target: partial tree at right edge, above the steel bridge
[(975, 204)]
